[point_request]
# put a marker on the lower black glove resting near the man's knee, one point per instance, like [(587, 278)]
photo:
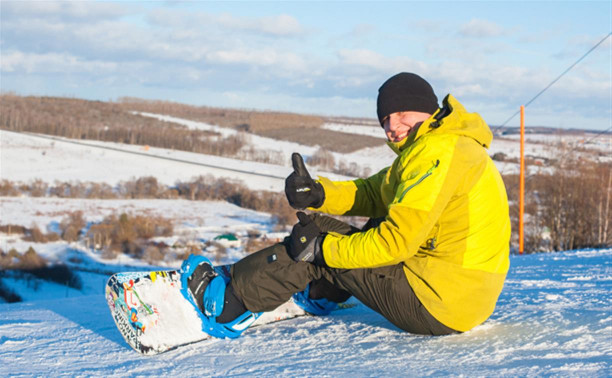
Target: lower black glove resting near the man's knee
[(306, 241)]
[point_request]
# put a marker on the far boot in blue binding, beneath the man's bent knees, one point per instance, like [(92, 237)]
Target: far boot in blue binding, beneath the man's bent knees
[(320, 297)]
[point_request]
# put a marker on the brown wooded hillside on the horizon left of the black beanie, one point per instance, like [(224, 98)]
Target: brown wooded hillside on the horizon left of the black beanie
[(117, 122)]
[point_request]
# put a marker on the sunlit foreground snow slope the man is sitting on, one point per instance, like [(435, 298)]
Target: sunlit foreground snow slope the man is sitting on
[(553, 318)]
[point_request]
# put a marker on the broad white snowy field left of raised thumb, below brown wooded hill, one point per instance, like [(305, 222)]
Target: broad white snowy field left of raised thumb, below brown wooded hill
[(52, 159)]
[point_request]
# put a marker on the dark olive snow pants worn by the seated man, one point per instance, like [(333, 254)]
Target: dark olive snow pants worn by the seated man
[(268, 278)]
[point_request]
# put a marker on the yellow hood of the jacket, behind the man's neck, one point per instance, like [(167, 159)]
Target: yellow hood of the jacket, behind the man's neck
[(451, 118)]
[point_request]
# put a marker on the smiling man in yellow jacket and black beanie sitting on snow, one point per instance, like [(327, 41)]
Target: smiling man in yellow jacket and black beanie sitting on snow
[(433, 257)]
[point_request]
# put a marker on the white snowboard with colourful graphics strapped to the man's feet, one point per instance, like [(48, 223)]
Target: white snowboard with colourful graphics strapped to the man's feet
[(153, 316)]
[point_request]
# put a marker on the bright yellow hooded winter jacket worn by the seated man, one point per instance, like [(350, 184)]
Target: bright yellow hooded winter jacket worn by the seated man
[(446, 218)]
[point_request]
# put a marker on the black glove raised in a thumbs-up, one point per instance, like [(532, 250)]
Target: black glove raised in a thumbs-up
[(301, 190)]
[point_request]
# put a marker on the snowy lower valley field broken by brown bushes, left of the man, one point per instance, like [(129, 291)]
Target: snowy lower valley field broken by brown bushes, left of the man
[(194, 222)]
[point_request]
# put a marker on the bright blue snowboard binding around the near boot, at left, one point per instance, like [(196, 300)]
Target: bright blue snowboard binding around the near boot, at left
[(203, 285)]
